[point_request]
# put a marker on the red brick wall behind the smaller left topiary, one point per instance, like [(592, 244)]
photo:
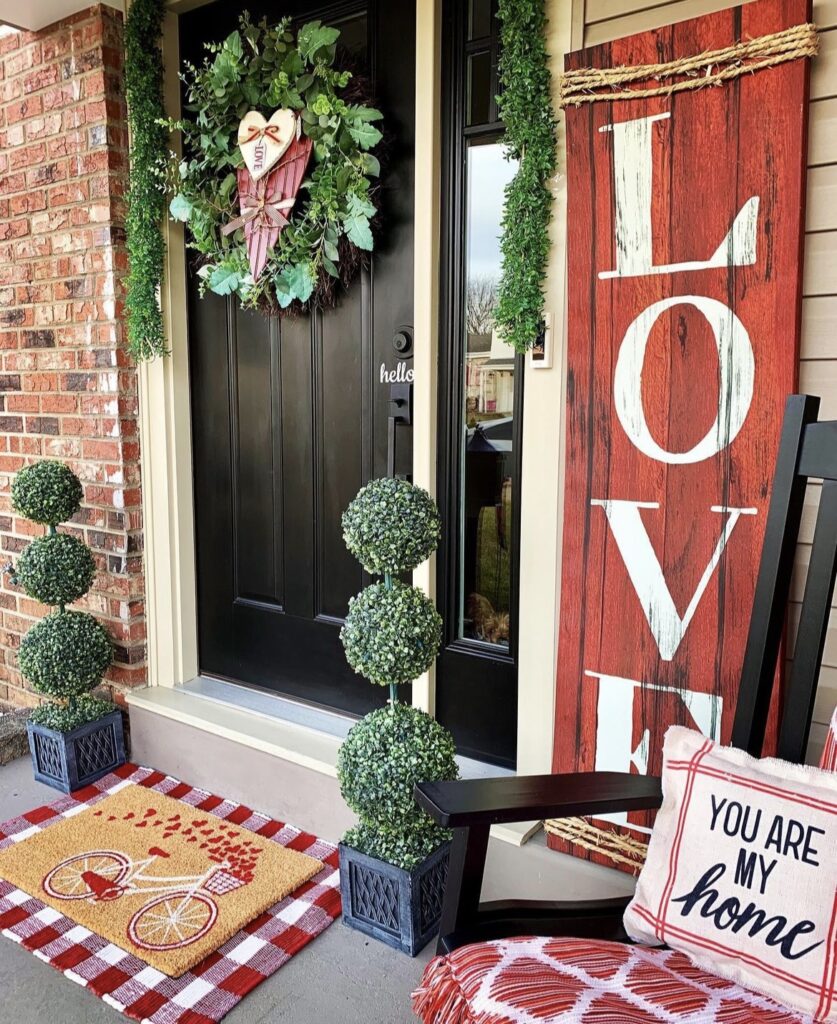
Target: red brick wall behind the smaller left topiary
[(67, 389)]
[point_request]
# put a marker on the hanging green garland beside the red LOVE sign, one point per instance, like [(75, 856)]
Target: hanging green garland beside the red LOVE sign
[(526, 110)]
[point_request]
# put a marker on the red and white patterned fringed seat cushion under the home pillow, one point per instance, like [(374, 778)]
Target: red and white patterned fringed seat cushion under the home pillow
[(582, 982)]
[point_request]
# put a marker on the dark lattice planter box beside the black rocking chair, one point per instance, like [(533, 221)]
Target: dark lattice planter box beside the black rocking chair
[(402, 909)]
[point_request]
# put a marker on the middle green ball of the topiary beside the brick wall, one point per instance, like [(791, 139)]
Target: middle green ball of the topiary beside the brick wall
[(56, 570)]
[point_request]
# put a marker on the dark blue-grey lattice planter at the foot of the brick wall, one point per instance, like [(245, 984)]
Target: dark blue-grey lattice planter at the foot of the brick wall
[(67, 761)]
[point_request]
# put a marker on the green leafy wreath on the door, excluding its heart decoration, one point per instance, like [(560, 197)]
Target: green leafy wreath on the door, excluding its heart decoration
[(267, 68)]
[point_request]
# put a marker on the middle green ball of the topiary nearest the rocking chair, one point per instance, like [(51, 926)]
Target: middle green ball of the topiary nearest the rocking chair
[(392, 635)]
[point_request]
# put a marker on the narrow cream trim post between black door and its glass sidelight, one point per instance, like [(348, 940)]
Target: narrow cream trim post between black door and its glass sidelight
[(426, 283)]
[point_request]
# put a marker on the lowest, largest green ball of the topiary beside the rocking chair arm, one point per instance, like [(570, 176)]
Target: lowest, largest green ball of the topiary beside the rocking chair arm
[(385, 756)]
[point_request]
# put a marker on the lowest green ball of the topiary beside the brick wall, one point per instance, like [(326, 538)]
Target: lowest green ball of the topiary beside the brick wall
[(66, 654)]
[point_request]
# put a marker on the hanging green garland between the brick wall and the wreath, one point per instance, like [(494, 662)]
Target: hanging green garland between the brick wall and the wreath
[(147, 205)]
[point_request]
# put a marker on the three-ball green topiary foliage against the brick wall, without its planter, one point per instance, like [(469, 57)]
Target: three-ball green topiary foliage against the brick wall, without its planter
[(66, 654)]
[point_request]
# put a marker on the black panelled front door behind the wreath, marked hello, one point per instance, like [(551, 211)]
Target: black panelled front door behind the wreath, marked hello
[(290, 417)]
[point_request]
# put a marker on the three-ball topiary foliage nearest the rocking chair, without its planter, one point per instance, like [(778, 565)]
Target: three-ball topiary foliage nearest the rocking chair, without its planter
[(392, 635)]
